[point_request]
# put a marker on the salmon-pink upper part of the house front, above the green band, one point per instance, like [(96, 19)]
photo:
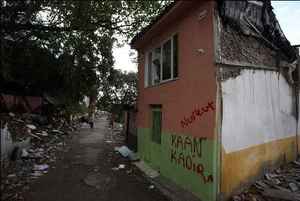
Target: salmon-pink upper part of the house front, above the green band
[(196, 83)]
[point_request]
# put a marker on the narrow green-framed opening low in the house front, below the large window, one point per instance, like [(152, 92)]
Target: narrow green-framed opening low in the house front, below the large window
[(156, 124)]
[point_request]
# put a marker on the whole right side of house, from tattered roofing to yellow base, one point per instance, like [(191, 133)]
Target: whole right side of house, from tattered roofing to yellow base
[(257, 77)]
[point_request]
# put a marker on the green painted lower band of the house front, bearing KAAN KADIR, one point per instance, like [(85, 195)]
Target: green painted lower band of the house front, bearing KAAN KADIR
[(188, 161)]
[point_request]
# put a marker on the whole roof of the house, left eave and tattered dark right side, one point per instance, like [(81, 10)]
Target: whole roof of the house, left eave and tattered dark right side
[(251, 17)]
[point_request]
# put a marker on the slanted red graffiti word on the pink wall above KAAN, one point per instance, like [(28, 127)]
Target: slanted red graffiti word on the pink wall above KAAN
[(197, 113)]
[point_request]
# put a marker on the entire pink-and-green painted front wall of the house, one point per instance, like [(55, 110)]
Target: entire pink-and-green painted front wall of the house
[(184, 99)]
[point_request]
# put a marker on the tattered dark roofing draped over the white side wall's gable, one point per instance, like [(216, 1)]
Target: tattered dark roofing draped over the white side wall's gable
[(257, 19)]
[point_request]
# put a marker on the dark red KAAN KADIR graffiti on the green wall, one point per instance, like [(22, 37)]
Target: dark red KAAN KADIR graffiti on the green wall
[(185, 151)]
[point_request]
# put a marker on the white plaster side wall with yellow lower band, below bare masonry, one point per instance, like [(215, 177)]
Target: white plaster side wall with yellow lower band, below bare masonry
[(258, 126)]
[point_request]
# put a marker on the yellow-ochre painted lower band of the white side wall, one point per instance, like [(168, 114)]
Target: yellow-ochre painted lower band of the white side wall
[(246, 165)]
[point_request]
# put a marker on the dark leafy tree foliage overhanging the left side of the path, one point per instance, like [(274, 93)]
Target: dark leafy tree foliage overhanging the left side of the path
[(64, 47)]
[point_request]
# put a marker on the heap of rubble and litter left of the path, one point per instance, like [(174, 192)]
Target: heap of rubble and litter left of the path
[(31, 146)]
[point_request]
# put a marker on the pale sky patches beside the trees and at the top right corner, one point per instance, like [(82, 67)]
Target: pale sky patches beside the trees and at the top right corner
[(287, 13)]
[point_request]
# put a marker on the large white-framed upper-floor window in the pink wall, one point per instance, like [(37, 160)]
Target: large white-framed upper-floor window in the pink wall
[(162, 62)]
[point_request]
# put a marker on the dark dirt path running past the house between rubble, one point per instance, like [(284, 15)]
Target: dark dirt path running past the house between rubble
[(86, 173)]
